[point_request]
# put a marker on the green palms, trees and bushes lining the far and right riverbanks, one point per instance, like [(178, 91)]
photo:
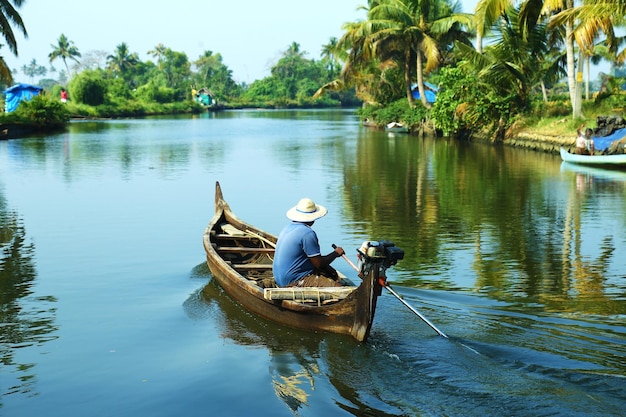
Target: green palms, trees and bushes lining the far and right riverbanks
[(508, 66)]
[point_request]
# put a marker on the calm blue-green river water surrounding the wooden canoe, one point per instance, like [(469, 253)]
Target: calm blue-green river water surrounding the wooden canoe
[(107, 307)]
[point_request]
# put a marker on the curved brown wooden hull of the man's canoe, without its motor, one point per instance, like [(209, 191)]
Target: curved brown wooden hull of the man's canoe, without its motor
[(352, 315)]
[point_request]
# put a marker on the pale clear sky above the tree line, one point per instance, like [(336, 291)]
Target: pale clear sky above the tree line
[(250, 35)]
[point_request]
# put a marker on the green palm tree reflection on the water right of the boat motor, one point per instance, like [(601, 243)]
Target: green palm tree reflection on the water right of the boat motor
[(455, 207)]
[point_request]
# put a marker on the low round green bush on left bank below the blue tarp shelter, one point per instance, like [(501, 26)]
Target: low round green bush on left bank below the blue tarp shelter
[(43, 112)]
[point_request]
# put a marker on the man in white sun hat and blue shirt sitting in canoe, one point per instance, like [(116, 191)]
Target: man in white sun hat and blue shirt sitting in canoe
[(298, 260)]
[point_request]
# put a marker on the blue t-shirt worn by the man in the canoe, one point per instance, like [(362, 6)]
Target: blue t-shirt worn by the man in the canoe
[(297, 242)]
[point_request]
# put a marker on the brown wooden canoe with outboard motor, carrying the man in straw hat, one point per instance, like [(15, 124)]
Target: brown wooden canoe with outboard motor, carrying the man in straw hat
[(240, 259)]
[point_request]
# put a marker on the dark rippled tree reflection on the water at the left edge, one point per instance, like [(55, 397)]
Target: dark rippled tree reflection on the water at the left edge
[(26, 320)]
